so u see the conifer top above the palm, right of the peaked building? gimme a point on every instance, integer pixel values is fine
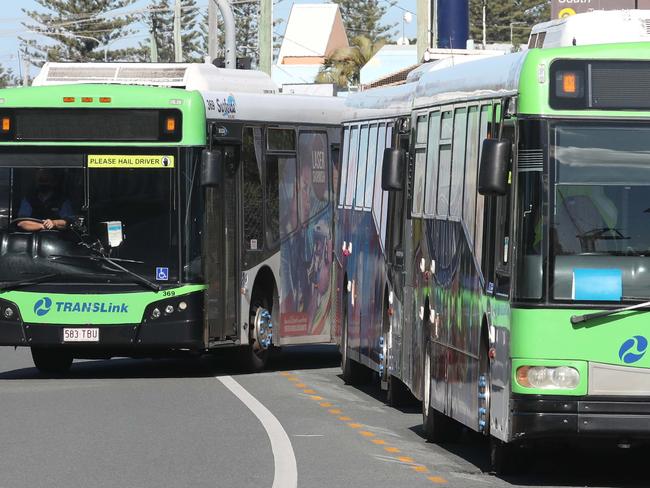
(363, 18)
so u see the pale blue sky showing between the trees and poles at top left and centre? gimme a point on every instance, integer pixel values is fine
(12, 15)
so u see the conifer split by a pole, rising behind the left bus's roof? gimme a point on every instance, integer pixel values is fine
(160, 22)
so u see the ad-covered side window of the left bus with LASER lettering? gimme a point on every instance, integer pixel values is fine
(314, 177)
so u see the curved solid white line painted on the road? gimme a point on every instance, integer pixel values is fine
(284, 459)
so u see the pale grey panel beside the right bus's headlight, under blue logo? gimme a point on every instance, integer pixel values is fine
(608, 379)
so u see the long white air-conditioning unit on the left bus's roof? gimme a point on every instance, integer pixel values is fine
(190, 76)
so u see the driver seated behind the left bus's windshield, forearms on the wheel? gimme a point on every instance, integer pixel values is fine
(45, 203)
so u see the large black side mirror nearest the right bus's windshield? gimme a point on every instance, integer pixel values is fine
(493, 173)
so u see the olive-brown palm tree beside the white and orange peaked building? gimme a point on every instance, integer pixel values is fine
(343, 66)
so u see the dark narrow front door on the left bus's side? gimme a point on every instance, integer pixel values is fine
(220, 250)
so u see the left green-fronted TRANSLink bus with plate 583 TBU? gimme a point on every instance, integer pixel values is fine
(141, 220)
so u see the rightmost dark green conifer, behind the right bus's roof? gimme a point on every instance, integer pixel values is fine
(502, 15)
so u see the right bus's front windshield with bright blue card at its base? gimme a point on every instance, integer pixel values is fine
(600, 229)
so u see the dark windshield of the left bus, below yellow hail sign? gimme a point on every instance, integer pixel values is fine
(54, 212)
